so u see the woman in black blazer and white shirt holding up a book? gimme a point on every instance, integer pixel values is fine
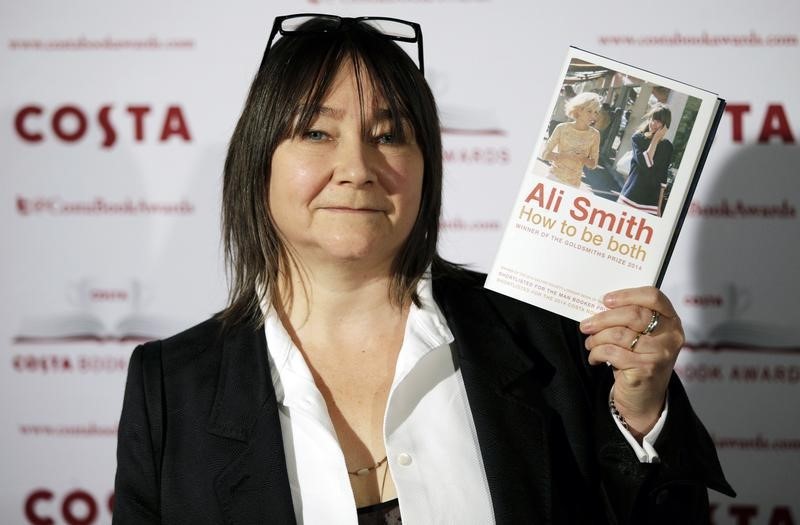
(355, 377)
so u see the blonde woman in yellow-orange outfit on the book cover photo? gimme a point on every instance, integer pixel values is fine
(575, 144)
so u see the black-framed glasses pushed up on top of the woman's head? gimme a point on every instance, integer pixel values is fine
(391, 28)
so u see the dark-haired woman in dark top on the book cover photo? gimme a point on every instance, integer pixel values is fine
(650, 160)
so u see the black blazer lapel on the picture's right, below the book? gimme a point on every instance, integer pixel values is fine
(508, 408)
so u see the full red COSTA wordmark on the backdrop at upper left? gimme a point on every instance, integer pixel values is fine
(70, 123)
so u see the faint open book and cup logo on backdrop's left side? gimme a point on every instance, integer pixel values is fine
(98, 313)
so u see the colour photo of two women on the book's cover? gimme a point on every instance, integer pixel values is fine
(613, 119)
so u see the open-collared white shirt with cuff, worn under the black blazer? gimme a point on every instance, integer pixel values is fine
(429, 434)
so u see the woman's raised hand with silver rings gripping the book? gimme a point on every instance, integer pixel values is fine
(640, 335)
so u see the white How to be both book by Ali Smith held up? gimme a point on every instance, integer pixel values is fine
(599, 209)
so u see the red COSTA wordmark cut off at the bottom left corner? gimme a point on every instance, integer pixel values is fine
(77, 507)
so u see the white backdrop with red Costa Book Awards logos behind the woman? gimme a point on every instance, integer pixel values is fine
(114, 121)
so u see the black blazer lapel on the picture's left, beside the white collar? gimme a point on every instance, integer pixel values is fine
(254, 486)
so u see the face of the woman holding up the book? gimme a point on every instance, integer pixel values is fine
(338, 193)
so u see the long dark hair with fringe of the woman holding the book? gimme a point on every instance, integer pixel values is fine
(292, 82)
